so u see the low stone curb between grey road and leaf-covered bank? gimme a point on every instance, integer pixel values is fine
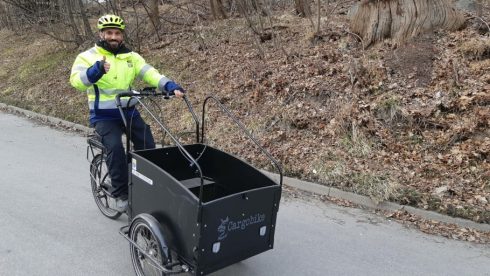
(299, 184)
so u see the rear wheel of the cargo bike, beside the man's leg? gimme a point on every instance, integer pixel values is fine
(99, 178)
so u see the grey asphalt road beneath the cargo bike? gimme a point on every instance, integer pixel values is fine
(51, 226)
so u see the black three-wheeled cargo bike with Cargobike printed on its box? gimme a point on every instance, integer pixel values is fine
(192, 208)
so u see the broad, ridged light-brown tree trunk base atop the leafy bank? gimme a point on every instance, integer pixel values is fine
(400, 20)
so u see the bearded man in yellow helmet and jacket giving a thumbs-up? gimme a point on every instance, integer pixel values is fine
(104, 71)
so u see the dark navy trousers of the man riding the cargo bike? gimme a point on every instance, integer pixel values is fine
(111, 132)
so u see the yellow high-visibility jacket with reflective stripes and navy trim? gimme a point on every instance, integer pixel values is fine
(125, 68)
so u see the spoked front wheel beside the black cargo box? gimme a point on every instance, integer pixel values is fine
(144, 236)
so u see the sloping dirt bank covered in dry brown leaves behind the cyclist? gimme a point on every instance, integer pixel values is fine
(407, 123)
